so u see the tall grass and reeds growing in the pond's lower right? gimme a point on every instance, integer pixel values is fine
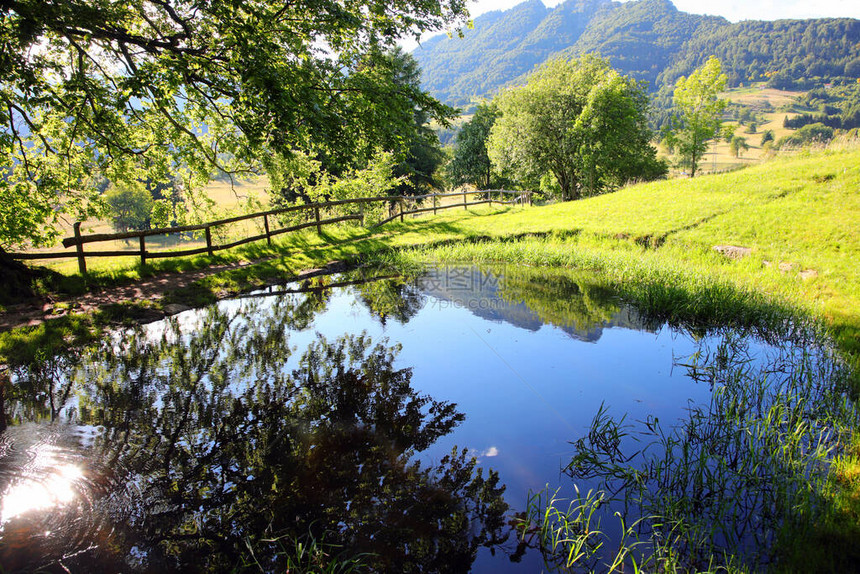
(722, 490)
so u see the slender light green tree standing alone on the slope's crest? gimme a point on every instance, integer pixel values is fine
(698, 112)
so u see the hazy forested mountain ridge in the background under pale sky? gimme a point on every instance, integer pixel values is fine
(649, 40)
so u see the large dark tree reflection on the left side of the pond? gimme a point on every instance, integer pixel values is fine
(228, 448)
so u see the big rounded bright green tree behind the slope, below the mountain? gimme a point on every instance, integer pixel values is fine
(578, 120)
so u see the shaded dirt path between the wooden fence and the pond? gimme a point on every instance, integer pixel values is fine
(151, 289)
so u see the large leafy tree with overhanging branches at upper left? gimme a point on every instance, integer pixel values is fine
(141, 89)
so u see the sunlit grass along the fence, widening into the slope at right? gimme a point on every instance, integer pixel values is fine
(798, 217)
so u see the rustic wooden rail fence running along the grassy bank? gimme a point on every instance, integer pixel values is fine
(268, 218)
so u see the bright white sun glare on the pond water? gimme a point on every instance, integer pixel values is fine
(41, 493)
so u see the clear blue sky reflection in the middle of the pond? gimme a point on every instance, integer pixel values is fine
(525, 394)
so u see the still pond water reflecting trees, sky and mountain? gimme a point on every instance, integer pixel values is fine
(402, 421)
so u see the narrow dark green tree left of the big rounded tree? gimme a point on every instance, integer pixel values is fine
(471, 161)
